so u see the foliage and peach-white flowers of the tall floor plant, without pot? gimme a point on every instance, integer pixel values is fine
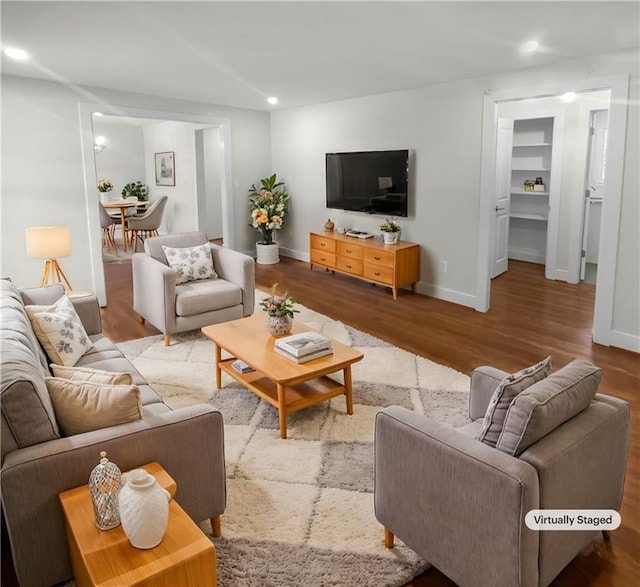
(268, 205)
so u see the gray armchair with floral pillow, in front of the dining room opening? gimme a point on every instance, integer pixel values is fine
(174, 308)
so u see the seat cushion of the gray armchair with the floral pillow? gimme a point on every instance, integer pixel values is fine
(198, 297)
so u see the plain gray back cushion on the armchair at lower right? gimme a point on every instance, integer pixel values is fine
(544, 406)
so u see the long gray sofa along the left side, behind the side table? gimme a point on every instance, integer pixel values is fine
(38, 462)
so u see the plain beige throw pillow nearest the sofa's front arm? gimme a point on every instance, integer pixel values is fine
(81, 406)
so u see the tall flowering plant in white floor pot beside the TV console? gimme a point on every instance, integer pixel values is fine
(268, 208)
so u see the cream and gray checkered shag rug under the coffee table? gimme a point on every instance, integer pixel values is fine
(300, 511)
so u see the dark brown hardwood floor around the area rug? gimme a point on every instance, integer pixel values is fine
(530, 318)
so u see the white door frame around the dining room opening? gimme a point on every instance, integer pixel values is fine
(85, 111)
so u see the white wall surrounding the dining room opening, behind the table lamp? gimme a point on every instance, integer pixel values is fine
(43, 176)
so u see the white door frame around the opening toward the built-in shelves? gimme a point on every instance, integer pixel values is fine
(607, 260)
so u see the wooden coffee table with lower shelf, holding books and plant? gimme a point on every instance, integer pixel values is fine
(286, 385)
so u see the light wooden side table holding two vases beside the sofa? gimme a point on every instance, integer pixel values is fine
(98, 557)
